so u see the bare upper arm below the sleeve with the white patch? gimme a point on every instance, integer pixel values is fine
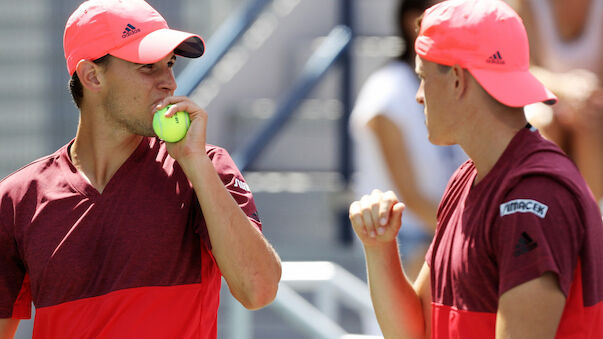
(531, 310)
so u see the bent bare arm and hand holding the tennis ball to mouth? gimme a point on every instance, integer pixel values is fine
(247, 261)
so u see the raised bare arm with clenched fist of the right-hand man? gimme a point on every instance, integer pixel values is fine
(403, 311)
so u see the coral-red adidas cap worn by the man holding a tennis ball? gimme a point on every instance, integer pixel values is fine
(128, 29)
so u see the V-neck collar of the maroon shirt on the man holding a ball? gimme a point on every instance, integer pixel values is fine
(77, 180)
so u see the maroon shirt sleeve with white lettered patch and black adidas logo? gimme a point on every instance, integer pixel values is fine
(539, 226)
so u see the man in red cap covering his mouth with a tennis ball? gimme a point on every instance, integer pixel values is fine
(119, 234)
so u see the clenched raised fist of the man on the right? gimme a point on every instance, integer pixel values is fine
(376, 216)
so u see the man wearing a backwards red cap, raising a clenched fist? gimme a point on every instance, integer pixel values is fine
(517, 251)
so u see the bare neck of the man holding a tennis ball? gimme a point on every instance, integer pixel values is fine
(98, 152)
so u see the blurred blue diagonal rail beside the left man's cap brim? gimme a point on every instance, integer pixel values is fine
(221, 41)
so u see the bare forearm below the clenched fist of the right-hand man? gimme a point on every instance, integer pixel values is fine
(397, 305)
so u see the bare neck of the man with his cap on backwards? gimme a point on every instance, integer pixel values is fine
(489, 136)
